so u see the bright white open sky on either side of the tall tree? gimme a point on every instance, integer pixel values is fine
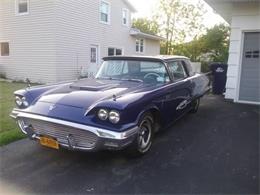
(145, 8)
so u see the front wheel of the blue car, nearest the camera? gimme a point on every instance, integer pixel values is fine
(144, 137)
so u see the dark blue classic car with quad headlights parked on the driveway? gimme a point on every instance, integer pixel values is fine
(129, 100)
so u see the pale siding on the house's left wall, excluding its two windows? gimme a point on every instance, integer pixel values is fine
(31, 41)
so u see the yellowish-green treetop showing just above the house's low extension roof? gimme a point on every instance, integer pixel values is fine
(145, 25)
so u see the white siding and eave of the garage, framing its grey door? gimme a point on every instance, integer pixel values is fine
(245, 17)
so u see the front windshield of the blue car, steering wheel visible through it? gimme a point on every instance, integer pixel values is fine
(133, 70)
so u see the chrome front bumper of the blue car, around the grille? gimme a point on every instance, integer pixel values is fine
(106, 139)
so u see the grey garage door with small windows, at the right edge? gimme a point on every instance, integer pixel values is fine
(250, 72)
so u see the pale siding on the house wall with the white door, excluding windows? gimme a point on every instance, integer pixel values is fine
(78, 27)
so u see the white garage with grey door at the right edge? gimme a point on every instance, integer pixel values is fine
(243, 82)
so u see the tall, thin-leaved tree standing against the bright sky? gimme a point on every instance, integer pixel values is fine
(179, 20)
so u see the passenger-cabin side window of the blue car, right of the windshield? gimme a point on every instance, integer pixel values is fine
(177, 70)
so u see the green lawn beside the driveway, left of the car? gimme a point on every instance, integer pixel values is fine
(8, 128)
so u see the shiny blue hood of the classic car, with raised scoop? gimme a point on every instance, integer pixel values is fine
(85, 93)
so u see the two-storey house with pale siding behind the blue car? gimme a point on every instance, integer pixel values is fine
(56, 40)
